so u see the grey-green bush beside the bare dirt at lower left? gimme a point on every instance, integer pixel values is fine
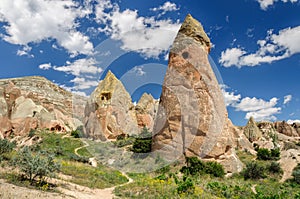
(35, 166)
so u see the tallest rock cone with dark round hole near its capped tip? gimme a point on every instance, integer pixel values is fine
(192, 118)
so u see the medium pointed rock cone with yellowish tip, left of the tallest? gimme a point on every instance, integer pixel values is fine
(109, 111)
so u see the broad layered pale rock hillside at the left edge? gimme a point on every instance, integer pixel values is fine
(34, 102)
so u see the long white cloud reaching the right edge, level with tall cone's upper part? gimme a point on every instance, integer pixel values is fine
(273, 48)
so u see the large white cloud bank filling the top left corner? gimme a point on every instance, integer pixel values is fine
(32, 21)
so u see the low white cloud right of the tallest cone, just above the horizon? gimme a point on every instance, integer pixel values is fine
(259, 109)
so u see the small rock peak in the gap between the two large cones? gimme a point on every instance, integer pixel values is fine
(146, 110)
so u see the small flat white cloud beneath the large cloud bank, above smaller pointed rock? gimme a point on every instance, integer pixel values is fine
(80, 67)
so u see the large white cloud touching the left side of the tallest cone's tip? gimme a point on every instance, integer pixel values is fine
(146, 35)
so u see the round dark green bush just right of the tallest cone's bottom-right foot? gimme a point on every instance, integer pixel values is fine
(253, 171)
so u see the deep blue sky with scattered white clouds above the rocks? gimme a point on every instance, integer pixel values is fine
(74, 42)
